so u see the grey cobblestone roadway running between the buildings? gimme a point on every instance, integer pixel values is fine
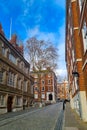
(39, 119)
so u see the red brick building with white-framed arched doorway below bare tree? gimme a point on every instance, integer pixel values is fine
(45, 86)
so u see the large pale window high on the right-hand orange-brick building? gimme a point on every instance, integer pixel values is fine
(84, 35)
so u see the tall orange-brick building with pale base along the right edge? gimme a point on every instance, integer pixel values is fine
(76, 54)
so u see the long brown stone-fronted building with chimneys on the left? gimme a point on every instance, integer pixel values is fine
(16, 89)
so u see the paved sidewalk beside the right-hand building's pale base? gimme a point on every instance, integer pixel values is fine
(72, 121)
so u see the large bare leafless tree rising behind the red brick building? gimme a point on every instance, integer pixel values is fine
(42, 54)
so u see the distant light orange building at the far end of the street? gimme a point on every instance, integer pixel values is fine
(63, 90)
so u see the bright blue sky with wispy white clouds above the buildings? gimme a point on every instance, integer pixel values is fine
(44, 19)
